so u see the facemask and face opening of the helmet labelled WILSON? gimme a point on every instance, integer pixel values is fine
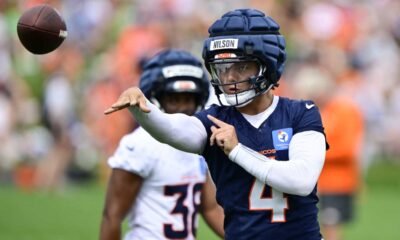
(231, 75)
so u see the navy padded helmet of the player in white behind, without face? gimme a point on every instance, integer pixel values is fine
(174, 71)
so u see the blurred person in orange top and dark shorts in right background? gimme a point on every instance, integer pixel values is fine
(339, 182)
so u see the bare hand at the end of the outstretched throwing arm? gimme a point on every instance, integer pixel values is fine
(130, 97)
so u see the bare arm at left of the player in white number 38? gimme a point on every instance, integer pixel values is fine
(122, 190)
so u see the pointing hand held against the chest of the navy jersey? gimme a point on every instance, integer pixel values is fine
(224, 135)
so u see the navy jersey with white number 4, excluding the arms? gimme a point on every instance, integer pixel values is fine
(254, 210)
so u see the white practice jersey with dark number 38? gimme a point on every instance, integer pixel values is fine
(166, 205)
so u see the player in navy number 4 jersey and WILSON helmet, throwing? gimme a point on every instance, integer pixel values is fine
(265, 152)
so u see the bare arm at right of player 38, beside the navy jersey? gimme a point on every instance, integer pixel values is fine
(212, 212)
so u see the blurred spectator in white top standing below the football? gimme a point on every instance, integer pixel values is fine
(60, 114)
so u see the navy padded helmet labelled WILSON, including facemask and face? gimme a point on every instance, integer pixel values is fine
(248, 43)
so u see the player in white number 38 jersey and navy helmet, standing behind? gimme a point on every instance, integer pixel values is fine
(160, 189)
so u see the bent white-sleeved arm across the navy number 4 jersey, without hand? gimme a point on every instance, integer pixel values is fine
(298, 175)
